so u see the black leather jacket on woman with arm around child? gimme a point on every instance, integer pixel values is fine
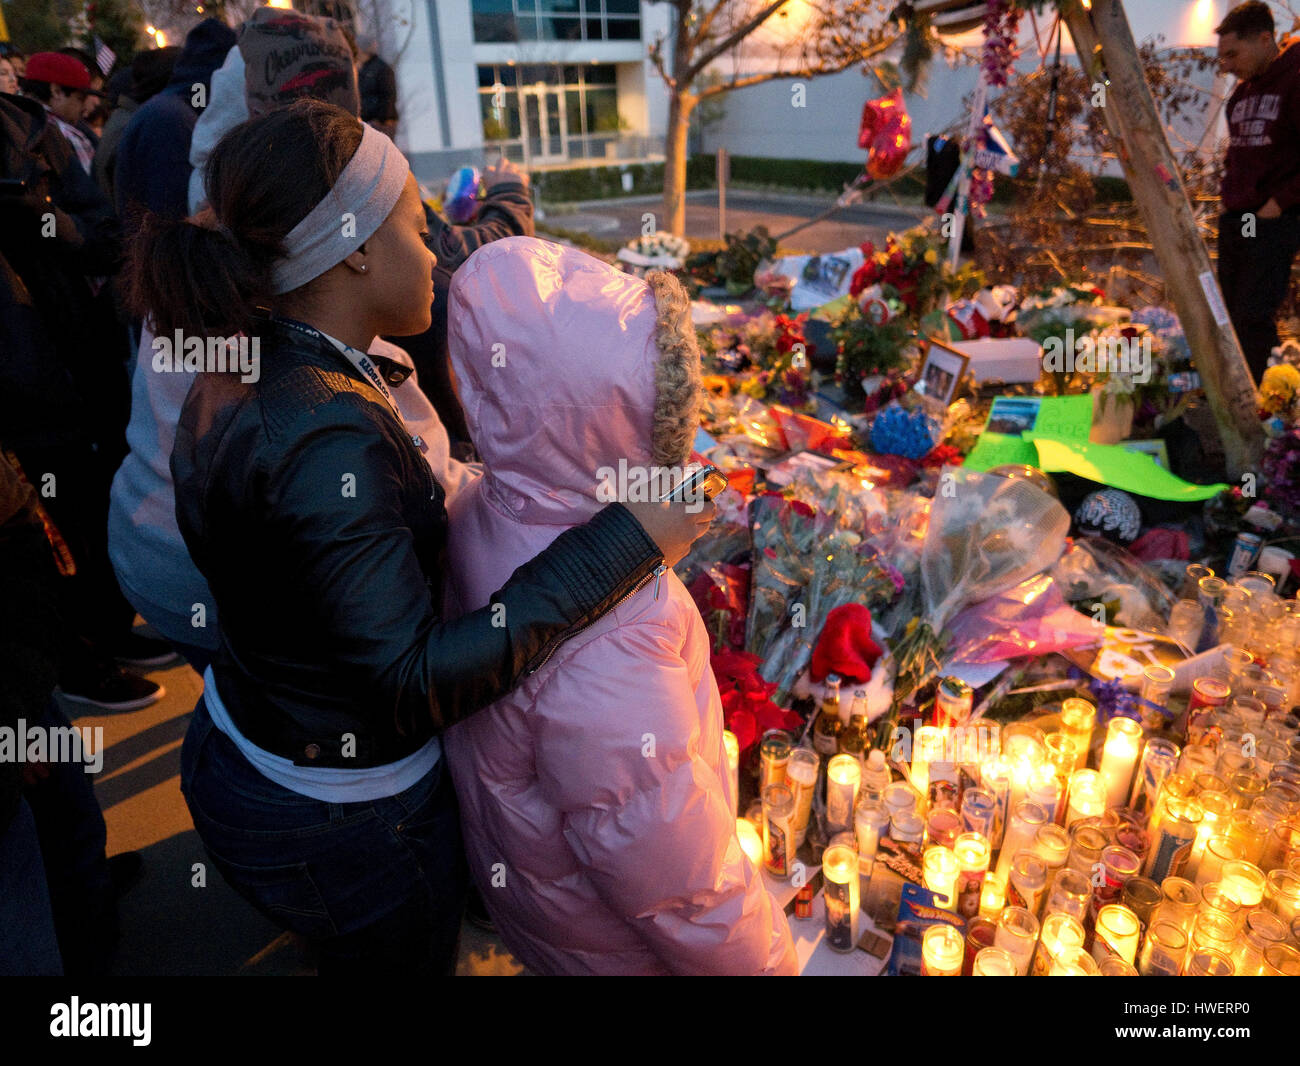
(322, 534)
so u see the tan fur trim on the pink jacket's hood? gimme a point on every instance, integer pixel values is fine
(677, 378)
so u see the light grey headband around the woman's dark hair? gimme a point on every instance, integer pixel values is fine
(362, 198)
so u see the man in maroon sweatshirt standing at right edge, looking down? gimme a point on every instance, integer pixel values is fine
(1260, 227)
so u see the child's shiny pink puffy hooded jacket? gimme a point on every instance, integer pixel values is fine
(596, 800)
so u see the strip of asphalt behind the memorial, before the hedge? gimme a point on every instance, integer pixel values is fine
(848, 228)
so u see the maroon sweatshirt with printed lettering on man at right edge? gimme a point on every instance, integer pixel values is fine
(1264, 124)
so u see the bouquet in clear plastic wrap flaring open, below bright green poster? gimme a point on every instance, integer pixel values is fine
(986, 535)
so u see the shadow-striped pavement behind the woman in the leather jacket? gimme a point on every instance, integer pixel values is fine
(183, 918)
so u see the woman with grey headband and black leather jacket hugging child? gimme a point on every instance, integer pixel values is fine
(313, 766)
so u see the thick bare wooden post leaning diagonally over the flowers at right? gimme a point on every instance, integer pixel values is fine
(1154, 176)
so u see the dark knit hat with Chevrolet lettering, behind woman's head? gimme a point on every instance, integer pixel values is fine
(288, 55)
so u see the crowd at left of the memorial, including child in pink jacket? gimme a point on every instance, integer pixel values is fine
(384, 549)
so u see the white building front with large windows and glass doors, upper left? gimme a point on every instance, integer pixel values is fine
(548, 83)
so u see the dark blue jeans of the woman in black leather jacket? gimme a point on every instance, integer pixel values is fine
(379, 887)
